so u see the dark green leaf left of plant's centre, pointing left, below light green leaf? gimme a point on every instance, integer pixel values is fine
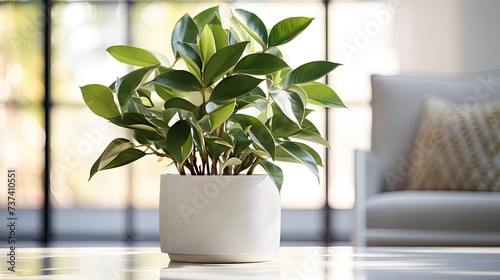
(178, 80)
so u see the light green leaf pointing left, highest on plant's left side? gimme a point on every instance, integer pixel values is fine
(133, 56)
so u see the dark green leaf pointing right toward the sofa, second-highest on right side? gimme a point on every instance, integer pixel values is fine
(309, 72)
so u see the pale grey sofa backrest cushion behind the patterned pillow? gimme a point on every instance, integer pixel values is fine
(397, 102)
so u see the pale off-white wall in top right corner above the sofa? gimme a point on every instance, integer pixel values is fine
(448, 36)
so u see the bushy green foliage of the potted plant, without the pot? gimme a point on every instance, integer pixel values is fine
(228, 103)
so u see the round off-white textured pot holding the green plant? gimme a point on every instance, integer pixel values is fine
(219, 219)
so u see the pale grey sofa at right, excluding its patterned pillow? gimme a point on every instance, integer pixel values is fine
(385, 213)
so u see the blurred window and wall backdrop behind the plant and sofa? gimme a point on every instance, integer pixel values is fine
(50, 48)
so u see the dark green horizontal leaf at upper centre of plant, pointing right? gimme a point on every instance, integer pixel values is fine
(260, 64)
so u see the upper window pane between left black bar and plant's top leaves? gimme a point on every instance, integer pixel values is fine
(81, 34)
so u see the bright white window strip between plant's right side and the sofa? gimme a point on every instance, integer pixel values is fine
(361, 39)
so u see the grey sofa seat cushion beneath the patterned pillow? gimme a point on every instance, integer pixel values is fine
(434, 210)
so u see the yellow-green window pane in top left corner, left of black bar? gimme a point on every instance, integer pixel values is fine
(21, 48)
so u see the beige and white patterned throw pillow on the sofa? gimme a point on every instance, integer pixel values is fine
(457, 147)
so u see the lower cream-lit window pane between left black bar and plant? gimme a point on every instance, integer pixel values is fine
(78, 139)
